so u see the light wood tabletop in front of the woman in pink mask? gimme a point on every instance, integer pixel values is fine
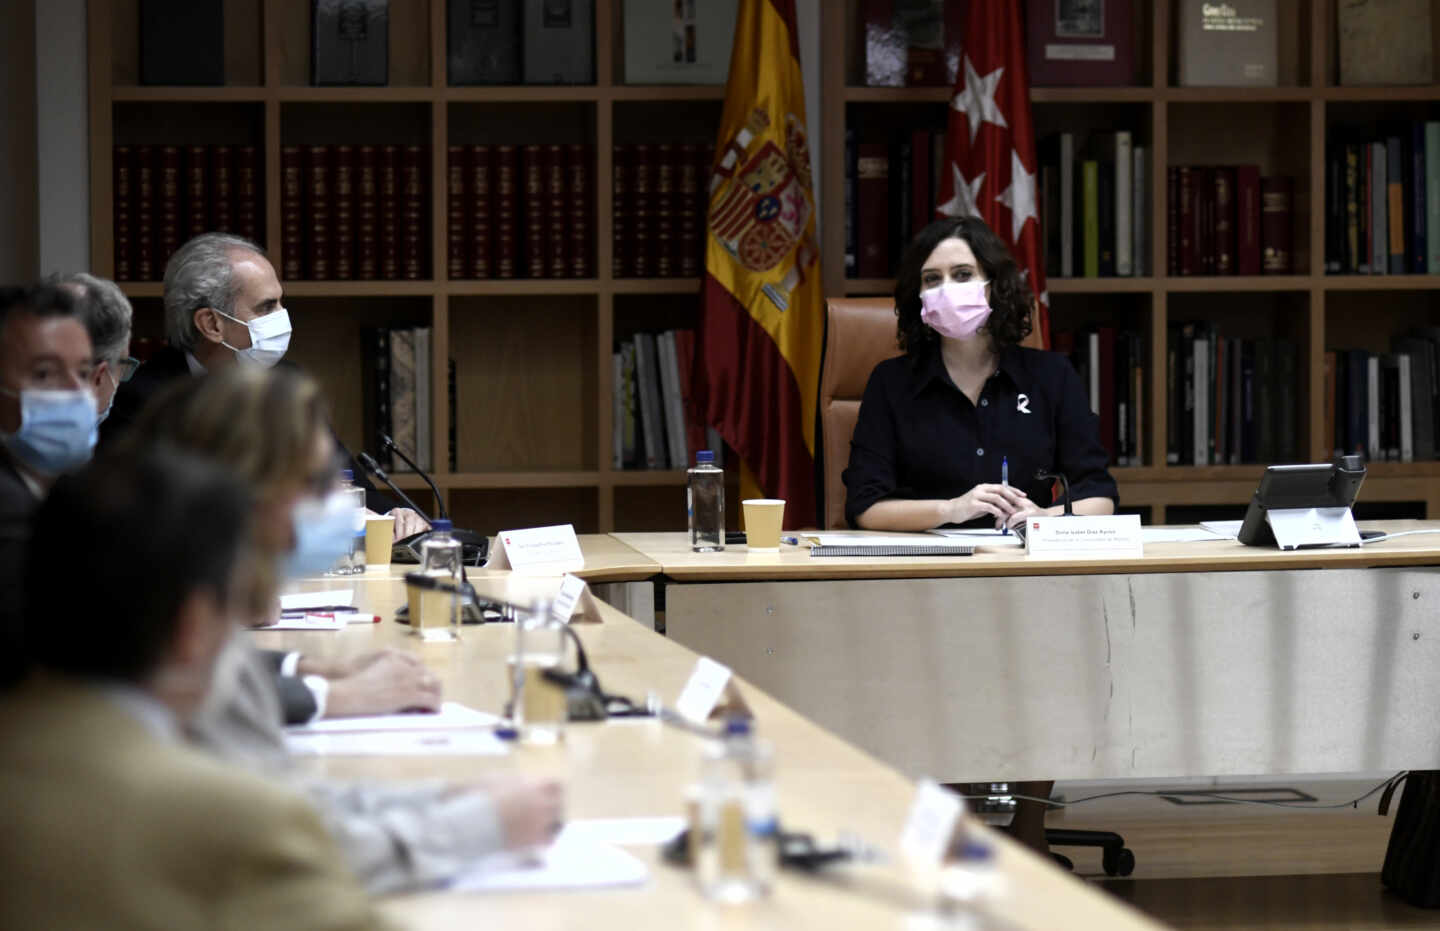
(672, 552)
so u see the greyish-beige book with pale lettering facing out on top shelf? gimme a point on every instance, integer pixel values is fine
(1228, 44)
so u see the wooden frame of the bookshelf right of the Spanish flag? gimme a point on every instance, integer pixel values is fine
(1285, 130)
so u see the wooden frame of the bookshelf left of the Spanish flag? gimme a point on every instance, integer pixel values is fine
(534, 356)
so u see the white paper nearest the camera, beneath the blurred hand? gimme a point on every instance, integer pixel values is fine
(568, 864)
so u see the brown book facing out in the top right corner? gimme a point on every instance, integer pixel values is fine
(1385, 42)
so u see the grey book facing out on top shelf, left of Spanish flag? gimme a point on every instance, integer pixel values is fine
(679, 41)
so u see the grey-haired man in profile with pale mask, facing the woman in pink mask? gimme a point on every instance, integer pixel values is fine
(224, 309)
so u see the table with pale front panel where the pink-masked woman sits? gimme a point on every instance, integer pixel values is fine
(1197, 660)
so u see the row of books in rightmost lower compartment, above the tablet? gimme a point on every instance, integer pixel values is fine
(1385, 407)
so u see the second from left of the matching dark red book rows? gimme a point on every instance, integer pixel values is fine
(355, 212)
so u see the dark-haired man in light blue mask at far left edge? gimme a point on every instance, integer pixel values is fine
(47, 422)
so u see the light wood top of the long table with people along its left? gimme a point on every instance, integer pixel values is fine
(642, 769)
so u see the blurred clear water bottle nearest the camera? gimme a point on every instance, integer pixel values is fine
(737, 850)
